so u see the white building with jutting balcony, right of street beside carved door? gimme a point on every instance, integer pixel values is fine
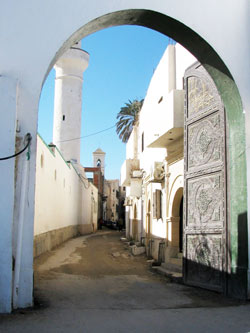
(153, 170)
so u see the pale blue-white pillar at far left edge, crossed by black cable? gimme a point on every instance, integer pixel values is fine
(8, 89)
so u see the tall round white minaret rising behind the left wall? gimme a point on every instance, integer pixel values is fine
(68, 102)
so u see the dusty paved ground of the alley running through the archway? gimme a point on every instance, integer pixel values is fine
(93, 284)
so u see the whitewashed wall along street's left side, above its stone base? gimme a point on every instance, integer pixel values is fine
(61, 198)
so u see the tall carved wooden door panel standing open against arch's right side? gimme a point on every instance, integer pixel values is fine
(204, 230)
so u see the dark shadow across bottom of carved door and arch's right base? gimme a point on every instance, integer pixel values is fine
(232, 283)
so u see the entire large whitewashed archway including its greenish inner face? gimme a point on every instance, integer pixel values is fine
(35, 61)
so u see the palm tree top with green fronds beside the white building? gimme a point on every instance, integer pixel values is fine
(127, 118)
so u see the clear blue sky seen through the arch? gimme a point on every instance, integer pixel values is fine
(122, 62)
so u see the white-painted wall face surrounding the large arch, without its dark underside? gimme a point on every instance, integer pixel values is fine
(33, 36)
